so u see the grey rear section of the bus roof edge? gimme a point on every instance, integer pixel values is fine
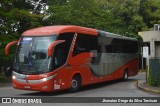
(112, 35)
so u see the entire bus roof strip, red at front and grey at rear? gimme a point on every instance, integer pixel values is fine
(51, 30)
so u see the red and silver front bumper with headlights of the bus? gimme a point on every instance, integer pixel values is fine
(34, 83)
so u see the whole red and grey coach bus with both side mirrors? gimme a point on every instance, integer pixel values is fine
(54, 58)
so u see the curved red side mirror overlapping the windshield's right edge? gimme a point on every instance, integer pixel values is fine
(52, 45)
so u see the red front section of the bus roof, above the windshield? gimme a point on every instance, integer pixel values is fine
(51, 30)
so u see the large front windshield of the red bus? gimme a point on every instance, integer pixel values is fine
(31, 55)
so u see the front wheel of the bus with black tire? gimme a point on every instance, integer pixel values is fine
(75, 84)
